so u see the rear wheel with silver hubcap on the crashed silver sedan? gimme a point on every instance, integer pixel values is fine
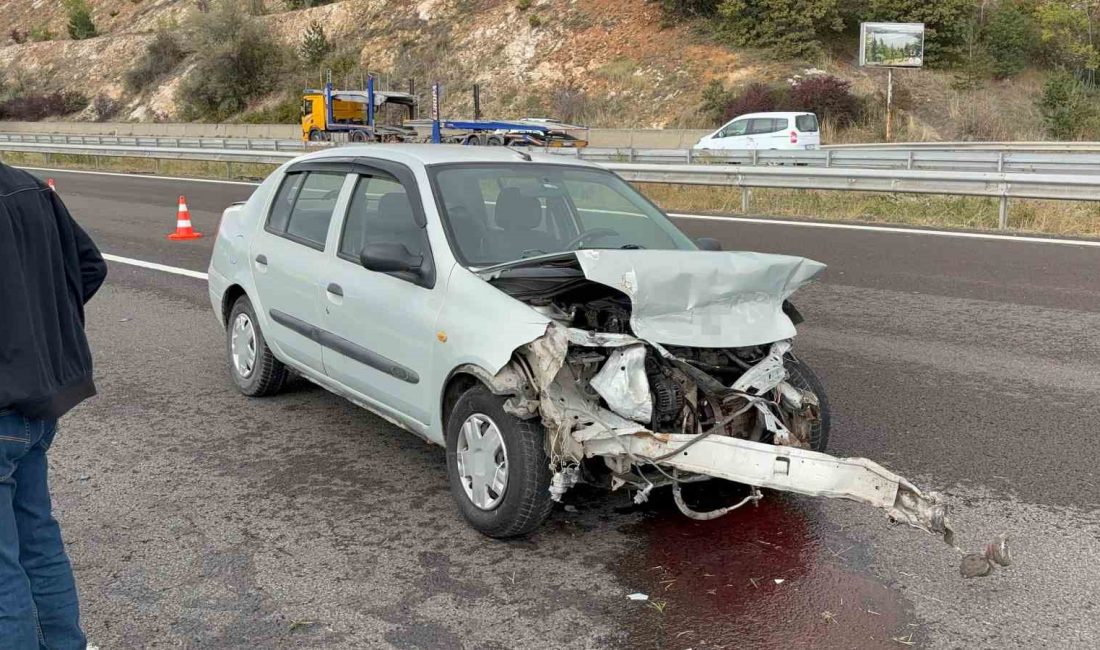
(255, 369)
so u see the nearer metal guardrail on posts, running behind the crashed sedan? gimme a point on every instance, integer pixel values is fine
(1068, 185)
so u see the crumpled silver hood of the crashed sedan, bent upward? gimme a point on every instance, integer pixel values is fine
(703, 299)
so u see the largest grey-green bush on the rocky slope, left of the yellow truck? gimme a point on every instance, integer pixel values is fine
(236, 62)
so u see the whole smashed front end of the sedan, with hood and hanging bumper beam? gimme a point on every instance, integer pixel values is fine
(665, 368)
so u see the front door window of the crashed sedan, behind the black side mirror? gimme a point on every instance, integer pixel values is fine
(381, 212)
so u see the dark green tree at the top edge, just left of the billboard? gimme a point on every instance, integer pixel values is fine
(788, 28)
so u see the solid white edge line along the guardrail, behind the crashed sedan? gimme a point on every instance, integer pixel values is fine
(893, 230)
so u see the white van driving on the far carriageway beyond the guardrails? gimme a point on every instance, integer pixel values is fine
(764, 131)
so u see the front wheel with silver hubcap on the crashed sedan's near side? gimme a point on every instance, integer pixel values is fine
(524, 502)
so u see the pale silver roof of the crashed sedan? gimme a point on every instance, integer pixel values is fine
(442, 155)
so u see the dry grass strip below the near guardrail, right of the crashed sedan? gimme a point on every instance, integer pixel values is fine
(1049, 217)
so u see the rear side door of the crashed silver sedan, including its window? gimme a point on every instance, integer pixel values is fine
(285, 257)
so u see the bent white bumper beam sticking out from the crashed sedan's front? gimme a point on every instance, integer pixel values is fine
(786, 469)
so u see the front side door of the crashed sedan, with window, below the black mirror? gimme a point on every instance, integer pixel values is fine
(381, 327)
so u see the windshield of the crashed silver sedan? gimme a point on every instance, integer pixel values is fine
(502, 213)
